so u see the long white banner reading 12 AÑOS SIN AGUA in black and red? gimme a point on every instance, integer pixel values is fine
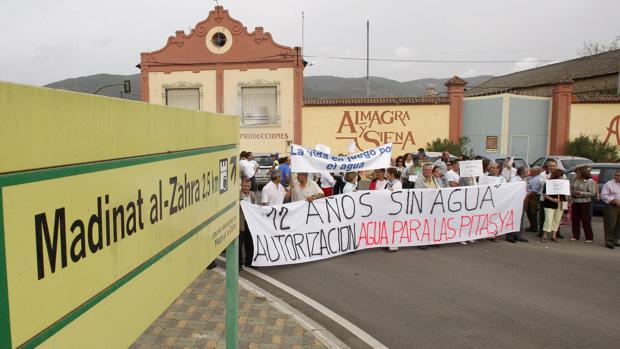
(302, 232)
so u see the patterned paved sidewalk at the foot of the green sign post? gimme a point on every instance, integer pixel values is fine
(197, 319)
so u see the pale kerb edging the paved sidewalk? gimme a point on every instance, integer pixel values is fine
(320, 332)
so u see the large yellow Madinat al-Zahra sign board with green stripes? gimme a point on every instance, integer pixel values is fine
(92, 252)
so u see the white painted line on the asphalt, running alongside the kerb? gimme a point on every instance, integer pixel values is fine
(361, 334)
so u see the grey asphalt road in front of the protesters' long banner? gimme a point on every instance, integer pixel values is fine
(483, 295)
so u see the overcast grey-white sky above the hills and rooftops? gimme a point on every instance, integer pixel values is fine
(46, 41)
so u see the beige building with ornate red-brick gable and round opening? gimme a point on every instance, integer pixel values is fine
(221, 67)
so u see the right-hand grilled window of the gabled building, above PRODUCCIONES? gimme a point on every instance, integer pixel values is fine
(259, 105)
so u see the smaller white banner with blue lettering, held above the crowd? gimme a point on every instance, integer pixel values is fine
(309, 160)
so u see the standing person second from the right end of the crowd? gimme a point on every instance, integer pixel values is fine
(582, 192)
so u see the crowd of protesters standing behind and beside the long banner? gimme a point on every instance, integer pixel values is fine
(544, 212)
